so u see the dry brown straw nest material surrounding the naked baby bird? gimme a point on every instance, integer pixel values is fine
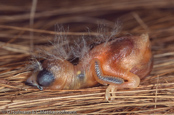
(155, 93)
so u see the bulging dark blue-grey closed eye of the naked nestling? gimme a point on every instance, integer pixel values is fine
(45, 78)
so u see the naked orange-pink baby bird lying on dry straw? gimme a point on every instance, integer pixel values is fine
(119, 63)
